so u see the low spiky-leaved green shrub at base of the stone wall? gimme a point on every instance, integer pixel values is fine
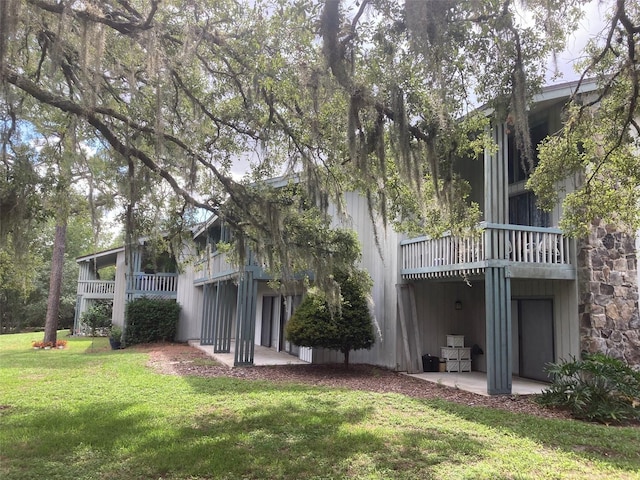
(597, 388)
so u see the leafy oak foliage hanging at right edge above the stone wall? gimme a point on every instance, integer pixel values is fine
(600, 141)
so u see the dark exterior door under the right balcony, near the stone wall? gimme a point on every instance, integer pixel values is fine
(536, 342)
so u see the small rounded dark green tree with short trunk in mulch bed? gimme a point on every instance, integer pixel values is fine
(346, 328)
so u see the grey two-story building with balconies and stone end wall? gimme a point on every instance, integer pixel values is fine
(520, 293)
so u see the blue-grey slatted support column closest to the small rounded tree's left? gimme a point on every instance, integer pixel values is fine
(246, 319)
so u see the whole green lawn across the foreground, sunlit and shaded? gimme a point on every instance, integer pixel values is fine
(87, 412)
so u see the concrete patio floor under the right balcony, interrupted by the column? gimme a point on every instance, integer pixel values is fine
(476, 382)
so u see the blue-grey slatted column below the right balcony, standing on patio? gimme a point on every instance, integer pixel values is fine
(498, 330)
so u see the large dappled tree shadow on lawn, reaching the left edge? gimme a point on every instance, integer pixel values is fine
(273, 434)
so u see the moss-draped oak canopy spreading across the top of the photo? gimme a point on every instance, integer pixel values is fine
(375, 95)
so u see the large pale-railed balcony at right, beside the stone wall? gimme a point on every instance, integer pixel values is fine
(528, 252)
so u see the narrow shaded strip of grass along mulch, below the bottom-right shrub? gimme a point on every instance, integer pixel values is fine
(586, 440)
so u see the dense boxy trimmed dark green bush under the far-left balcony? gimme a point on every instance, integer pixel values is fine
(151, 320)
